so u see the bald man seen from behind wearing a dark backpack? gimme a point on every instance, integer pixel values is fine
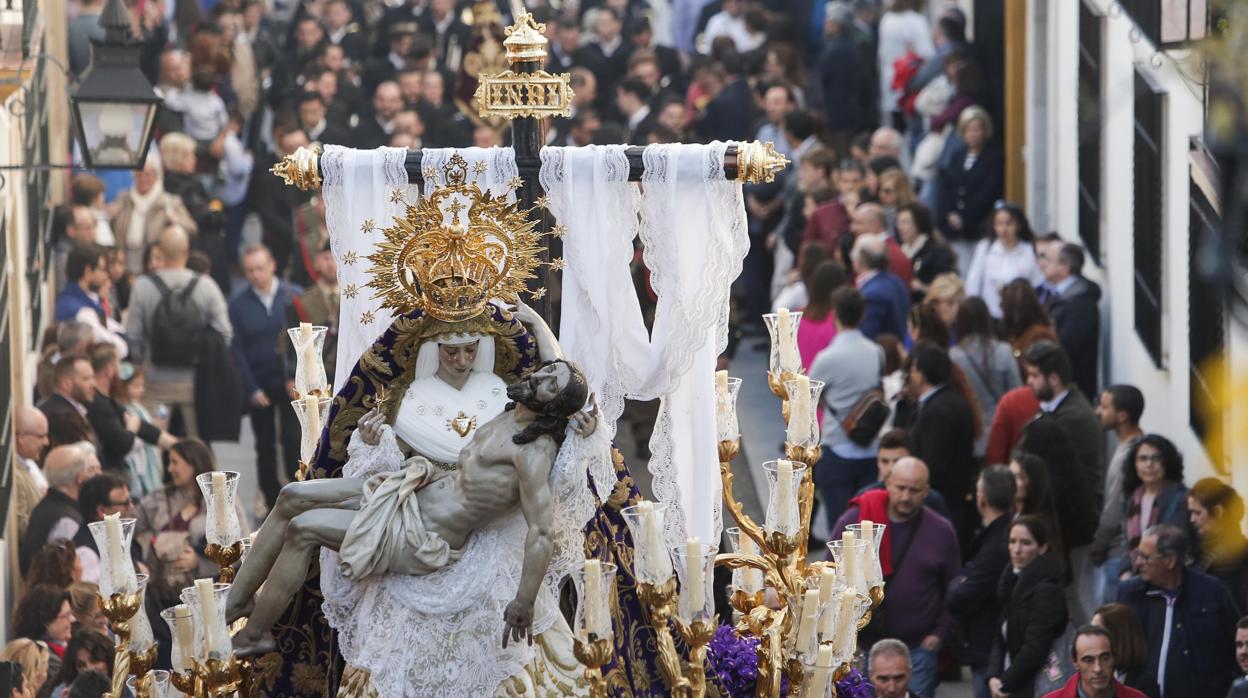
(167, 355)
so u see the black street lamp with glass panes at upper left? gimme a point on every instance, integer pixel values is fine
(114, 106)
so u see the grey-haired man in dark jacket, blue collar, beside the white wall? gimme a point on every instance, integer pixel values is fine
(1074, 304)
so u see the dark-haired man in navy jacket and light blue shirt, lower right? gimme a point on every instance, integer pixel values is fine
(1189, 617)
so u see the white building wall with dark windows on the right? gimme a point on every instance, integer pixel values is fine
(1053, 187)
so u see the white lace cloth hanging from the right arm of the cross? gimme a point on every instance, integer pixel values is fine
(693, 225)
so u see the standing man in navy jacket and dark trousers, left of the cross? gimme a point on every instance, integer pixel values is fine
(259, 318)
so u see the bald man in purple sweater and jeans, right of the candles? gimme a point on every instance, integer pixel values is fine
(920, 558)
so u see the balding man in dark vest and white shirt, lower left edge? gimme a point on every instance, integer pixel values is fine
(58, 515)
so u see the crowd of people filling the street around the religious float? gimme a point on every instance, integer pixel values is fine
(1036, 534)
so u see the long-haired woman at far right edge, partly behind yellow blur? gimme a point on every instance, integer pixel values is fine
(1217, 513)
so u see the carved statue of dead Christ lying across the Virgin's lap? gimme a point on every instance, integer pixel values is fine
(506, 466)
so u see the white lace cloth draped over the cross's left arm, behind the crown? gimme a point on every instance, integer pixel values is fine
(358, 189)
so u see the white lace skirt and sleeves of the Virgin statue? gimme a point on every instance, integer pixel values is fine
(441, 635)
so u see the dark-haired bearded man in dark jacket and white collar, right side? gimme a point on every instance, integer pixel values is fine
(1049, 375)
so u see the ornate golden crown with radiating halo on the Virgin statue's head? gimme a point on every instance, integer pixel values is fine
(456, 250)
